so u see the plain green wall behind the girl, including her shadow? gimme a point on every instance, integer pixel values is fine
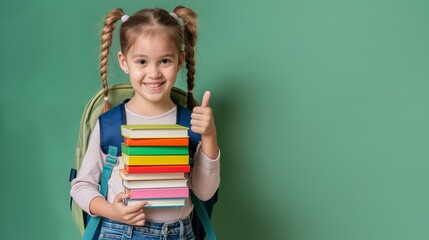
(321, 110)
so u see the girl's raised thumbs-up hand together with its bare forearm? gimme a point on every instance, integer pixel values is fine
(202, 122)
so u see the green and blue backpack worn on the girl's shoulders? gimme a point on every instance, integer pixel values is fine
(110, 136)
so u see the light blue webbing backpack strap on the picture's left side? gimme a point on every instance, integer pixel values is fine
(92, 229)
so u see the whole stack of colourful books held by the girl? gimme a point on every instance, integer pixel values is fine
(156, 164)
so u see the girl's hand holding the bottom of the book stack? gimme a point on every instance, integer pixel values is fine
(132, 215)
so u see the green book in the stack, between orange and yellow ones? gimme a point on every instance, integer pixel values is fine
(154, 150)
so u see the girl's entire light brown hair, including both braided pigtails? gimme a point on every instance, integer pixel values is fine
(150, 22)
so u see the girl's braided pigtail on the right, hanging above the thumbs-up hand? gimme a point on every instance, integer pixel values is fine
(189, 18)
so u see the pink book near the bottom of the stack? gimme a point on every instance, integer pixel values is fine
(150, 193)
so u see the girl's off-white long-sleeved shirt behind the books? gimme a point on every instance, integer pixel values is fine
(204, 178)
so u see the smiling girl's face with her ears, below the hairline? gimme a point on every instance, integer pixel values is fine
(153, 64)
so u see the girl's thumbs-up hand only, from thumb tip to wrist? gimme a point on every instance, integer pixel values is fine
(202, 120)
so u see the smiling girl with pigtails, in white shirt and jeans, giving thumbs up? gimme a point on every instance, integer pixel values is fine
(154, 46)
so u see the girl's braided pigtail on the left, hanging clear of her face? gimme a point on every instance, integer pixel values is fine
(106, 42)
